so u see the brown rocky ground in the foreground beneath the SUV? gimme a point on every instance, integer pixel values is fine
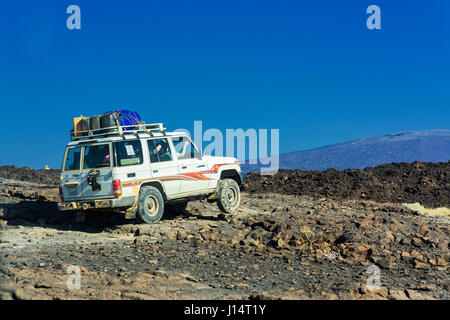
(278, 246)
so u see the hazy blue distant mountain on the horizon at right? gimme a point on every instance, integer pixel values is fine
(408, 146)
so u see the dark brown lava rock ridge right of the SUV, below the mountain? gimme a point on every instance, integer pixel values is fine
(427, 183)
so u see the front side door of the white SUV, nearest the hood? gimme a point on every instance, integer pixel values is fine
(191, 165)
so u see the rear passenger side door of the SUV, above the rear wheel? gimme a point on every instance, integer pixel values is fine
(163, 165)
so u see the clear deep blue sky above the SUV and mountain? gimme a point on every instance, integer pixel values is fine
(309, 68)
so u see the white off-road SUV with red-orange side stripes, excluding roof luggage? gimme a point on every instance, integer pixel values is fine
(142, 169)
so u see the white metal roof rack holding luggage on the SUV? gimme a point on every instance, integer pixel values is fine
(117, 131)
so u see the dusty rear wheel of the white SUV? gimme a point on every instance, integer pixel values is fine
(150, 205)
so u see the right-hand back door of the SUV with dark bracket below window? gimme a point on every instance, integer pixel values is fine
(96, 173)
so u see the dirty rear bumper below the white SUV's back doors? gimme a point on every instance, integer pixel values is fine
(96, 204)
